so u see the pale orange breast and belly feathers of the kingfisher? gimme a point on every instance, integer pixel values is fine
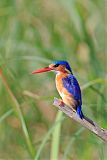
(67, 97)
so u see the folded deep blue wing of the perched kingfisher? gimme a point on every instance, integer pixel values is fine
(72, 86)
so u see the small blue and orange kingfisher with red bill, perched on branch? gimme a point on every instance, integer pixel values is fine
(66, 84)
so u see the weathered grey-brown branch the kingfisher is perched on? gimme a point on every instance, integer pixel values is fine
(86, 122)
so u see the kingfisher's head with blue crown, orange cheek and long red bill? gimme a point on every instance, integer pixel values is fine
(58, 66)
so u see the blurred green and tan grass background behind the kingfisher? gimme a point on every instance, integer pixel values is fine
(32, 34)
